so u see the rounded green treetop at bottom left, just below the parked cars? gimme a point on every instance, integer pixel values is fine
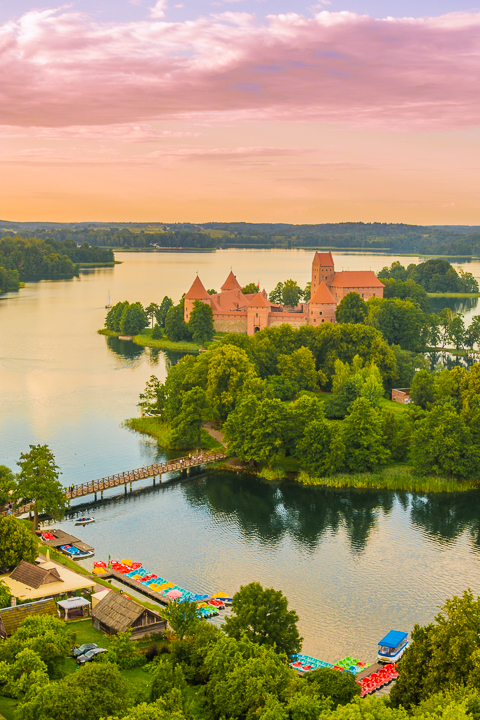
(94, 692)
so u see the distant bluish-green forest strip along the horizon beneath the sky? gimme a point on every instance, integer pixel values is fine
(394, 237)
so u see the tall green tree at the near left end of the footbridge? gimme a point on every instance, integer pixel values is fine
(38, 483)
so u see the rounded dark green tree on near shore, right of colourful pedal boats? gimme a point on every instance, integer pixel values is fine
(262, 615)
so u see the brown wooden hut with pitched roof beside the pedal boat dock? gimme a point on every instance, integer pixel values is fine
(116, 613)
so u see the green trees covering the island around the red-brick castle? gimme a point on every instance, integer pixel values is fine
(314, 401)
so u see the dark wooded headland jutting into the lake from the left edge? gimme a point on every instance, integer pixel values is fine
(23, 259)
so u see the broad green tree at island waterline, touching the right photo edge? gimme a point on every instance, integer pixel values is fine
(442, 444)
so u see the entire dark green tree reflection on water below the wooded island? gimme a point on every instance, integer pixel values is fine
(271, 511)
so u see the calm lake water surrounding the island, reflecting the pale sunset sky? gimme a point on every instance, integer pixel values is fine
(353, 564)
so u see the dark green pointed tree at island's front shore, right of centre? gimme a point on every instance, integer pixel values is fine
(363, 437)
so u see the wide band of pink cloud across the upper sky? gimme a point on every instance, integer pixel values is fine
(61, 68)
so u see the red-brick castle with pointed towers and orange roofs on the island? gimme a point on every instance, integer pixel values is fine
(234, 311)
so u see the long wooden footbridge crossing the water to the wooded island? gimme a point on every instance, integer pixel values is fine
(149, 471)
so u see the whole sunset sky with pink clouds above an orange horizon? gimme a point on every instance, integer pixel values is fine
(230, 110)
